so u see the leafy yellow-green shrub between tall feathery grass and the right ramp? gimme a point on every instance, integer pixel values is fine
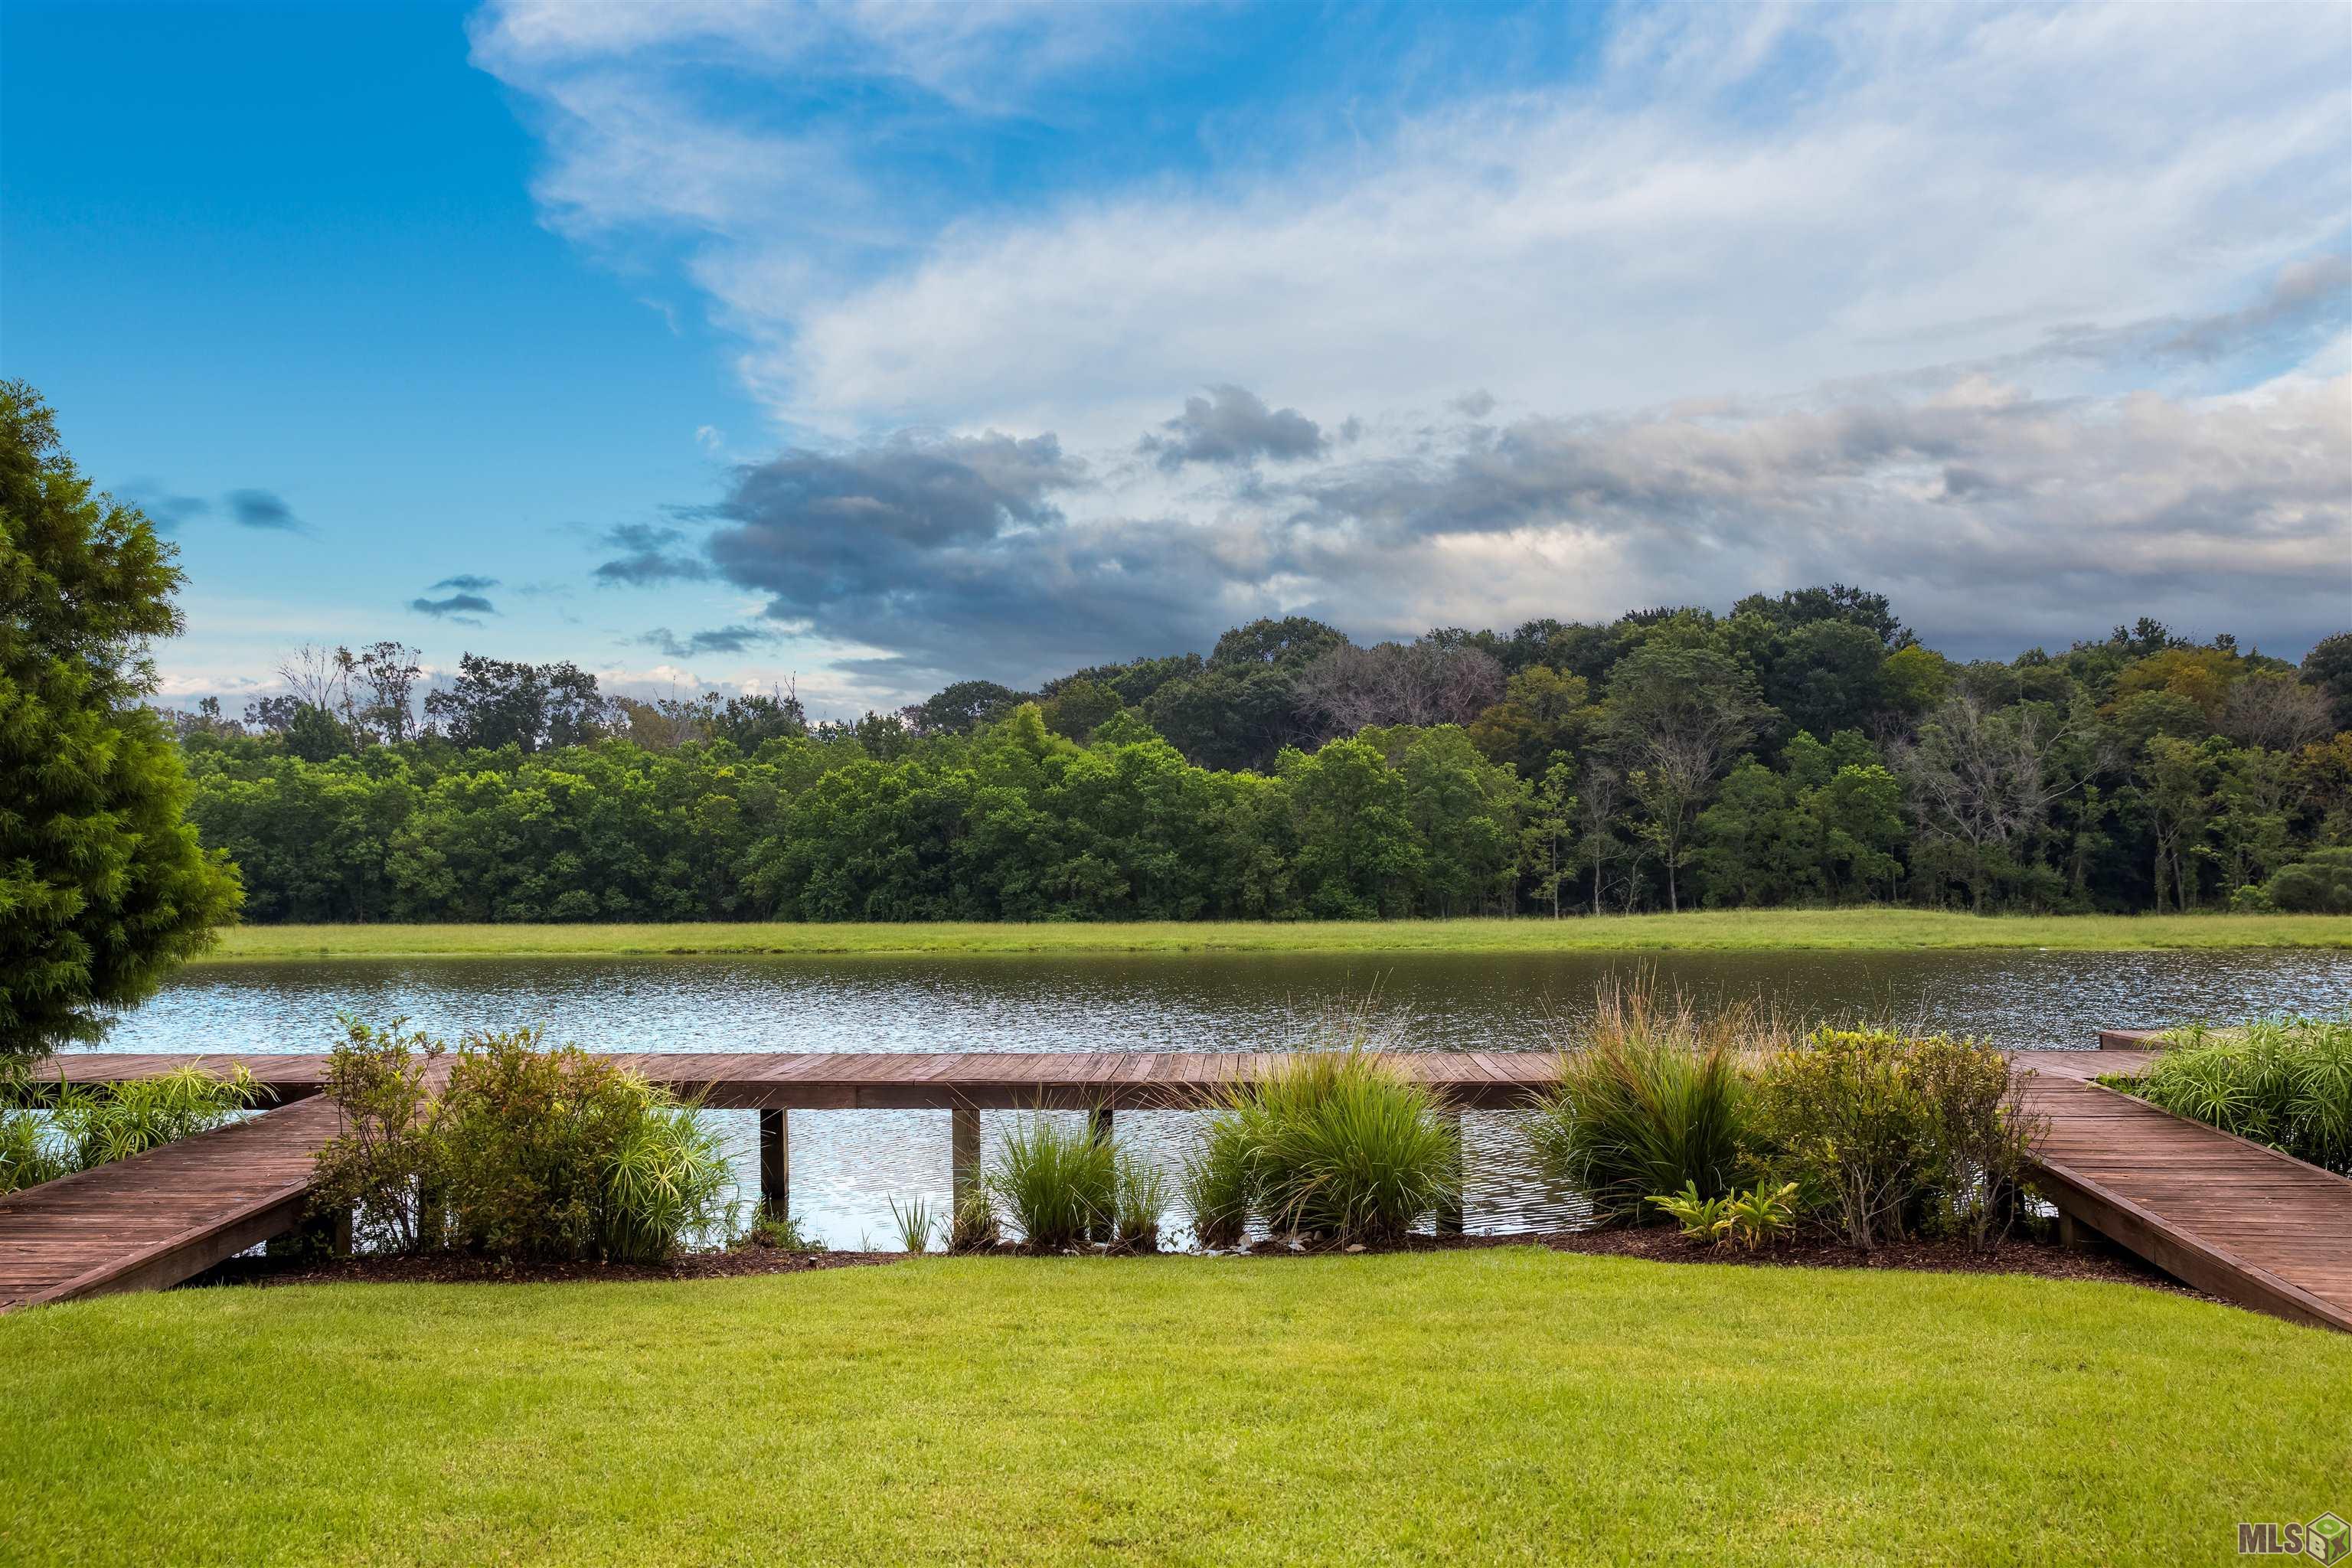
(1890, 1137)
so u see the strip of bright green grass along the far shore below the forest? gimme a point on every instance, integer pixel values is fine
(1711, 932)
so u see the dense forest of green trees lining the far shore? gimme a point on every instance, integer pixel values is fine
(1800, 751)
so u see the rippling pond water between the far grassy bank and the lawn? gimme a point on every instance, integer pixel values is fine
(850, 1165)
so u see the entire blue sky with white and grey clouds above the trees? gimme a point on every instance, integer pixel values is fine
(871, 347)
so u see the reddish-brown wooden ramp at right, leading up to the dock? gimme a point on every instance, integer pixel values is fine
(2229, 1217)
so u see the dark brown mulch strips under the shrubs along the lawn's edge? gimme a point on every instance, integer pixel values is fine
(1655, 1245)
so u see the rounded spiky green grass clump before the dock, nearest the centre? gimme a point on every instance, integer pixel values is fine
(1339, 1146)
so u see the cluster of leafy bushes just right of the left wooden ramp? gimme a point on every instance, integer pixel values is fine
(526, 1153)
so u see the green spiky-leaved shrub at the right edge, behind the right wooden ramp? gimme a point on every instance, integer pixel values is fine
(2285, 1083)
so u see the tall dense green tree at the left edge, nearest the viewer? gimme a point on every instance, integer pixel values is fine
(105, 887)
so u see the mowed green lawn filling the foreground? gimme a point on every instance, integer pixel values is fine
(1474, 1407)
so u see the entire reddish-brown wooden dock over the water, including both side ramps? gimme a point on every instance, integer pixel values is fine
(2229, 1217)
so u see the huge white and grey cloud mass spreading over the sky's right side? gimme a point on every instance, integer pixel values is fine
(1913, 297)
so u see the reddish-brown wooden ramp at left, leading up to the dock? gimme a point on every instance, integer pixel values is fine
(163, 1217)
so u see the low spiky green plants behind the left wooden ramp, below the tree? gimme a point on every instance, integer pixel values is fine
(91, 1125)
